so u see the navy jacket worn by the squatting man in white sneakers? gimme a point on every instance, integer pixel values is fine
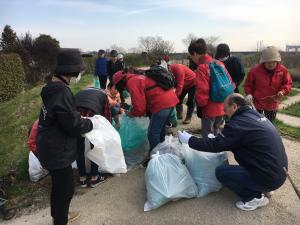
(255, 143)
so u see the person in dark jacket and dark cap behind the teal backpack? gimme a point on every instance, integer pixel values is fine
(232, 64)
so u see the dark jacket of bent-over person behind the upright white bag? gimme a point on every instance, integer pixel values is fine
(92, 98)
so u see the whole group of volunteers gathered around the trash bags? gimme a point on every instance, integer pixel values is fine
(248, 134)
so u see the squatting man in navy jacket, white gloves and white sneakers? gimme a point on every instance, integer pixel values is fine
(256, 146)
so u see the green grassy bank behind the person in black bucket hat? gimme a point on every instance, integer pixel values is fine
(16, 117)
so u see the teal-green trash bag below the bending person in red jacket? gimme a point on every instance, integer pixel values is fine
(133, 132)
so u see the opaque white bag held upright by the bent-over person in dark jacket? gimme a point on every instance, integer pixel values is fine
(107, 151)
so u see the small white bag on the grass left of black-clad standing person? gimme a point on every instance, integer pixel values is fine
(35, 170)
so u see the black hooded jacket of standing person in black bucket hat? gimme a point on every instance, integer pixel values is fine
(59, 126)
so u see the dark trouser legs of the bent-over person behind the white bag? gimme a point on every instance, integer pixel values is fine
(81, 159)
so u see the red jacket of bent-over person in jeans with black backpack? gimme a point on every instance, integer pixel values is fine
(152, 100)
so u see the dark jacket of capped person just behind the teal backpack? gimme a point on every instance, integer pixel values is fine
(235, 69)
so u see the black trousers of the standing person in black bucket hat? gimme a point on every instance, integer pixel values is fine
(61, 194)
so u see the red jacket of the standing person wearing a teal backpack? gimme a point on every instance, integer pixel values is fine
(209, 109)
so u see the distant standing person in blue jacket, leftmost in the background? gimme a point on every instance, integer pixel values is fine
(101, 69)
